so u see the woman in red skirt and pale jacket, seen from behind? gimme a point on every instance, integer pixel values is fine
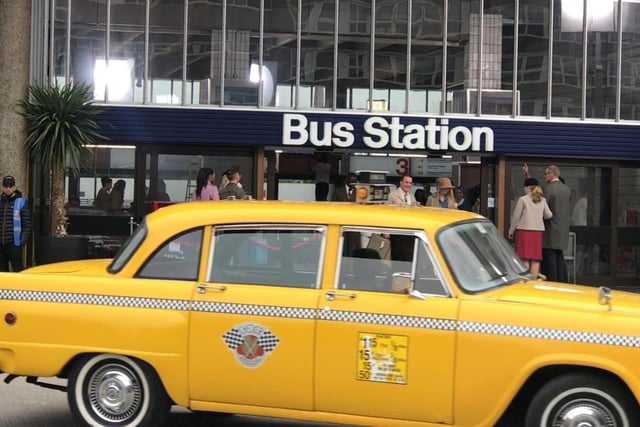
(527, 224)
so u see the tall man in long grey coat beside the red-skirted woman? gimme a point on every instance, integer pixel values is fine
(556, 234)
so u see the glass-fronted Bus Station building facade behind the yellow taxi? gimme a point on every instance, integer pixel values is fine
(471, 89)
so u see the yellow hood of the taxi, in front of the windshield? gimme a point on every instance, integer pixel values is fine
(565, 295)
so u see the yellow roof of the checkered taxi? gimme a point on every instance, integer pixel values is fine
(193, 214)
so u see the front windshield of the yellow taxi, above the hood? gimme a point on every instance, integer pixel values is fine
(479, 256)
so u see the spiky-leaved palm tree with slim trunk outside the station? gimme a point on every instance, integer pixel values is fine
(61, 121)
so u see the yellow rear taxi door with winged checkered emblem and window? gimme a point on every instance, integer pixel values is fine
(253, 317)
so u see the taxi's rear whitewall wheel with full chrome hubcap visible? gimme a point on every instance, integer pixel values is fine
(112, 390)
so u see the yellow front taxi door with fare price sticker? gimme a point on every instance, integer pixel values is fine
(381, 351)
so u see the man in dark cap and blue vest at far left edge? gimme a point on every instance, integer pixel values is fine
(15, 220)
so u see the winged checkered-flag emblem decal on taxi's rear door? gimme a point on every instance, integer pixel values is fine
(250, 343)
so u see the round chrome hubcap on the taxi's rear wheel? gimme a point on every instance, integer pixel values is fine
(114, 393)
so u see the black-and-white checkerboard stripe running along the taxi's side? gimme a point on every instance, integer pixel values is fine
(329, 315)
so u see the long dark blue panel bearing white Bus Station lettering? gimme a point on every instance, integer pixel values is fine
(417, 134)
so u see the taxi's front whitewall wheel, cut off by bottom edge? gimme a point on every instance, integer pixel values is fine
(582, 400)
